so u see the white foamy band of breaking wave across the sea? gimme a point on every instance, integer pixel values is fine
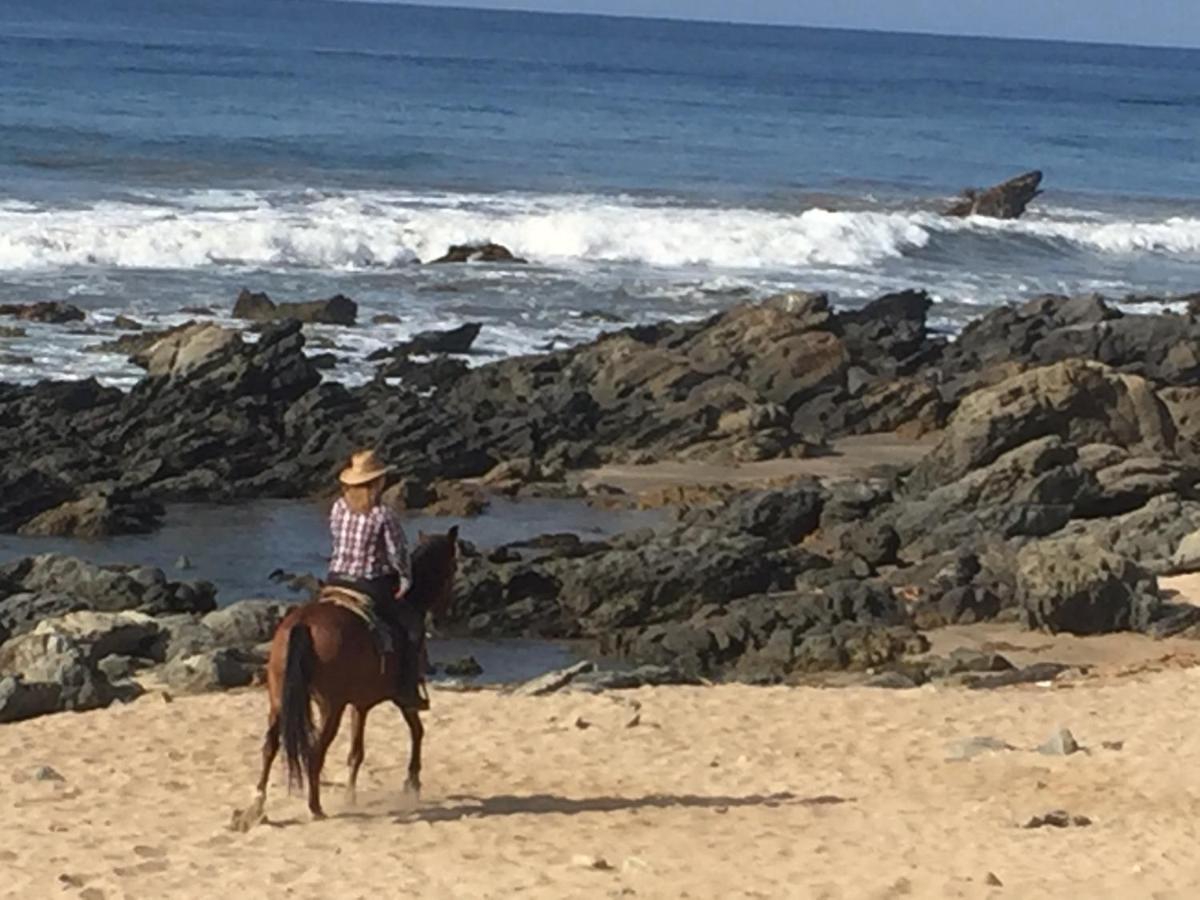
(374, 231)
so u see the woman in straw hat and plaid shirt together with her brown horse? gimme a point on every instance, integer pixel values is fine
(326, 656)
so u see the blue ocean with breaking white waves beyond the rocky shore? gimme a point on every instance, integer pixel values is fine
(157, 157)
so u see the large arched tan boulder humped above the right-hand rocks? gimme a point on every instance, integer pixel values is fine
(1078, 401)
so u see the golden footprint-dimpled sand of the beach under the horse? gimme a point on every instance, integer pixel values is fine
(701, 793)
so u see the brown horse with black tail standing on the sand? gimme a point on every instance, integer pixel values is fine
(326, 655)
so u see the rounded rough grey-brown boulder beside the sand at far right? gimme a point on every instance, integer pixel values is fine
(1077, 586)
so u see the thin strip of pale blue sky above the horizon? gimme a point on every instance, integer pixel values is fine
(1145, 22)
